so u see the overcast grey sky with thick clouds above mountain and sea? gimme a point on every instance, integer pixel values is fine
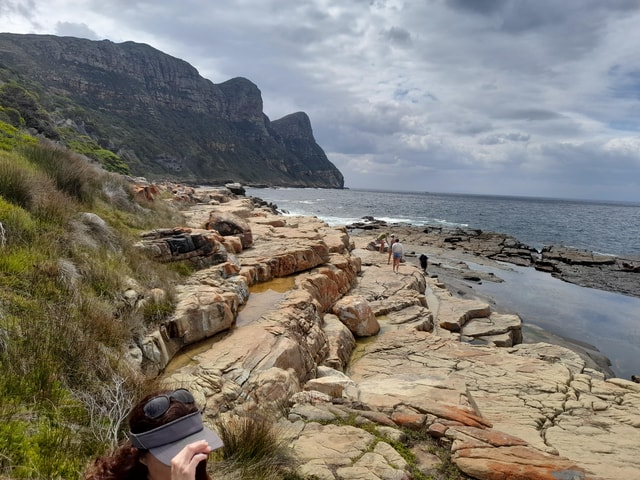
(507, 97)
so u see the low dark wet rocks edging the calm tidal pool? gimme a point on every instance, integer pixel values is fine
(450, 250)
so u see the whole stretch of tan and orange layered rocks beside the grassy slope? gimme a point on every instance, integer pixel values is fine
(354, 344)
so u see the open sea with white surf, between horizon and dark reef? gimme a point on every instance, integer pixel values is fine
(603, 227)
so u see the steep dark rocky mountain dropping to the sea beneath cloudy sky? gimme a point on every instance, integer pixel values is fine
(158, 115)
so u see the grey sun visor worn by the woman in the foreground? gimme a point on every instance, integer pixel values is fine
(166, 441)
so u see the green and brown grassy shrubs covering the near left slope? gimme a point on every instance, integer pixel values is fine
(67, 234)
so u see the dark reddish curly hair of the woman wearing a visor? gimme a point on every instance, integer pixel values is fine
(124, 462)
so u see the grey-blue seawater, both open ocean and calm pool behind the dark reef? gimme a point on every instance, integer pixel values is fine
(608, 321)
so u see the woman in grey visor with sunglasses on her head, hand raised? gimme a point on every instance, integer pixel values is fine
(167, 441)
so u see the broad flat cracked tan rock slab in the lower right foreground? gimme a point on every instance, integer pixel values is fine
(570, 421)
